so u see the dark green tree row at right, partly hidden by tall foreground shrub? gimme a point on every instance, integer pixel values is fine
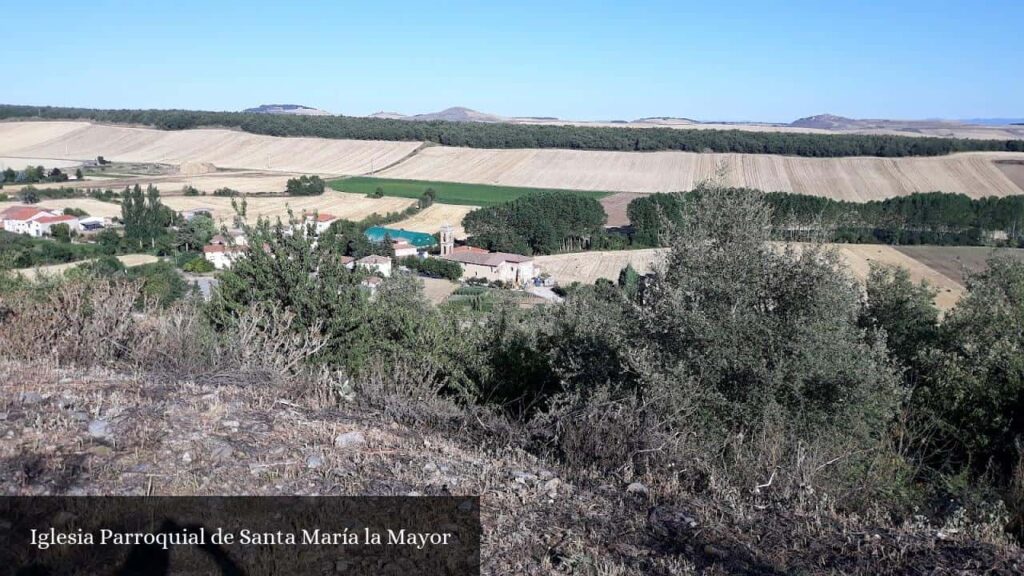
(933, 218)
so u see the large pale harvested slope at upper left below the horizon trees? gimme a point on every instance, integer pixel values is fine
(225, 149)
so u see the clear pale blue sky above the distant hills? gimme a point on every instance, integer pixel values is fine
(736, 61)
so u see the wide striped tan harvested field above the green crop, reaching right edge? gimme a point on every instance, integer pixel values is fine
(843, 179)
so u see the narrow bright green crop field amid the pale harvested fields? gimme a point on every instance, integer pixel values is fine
(448, 193)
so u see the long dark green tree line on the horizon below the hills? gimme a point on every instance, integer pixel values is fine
(474, 135)
